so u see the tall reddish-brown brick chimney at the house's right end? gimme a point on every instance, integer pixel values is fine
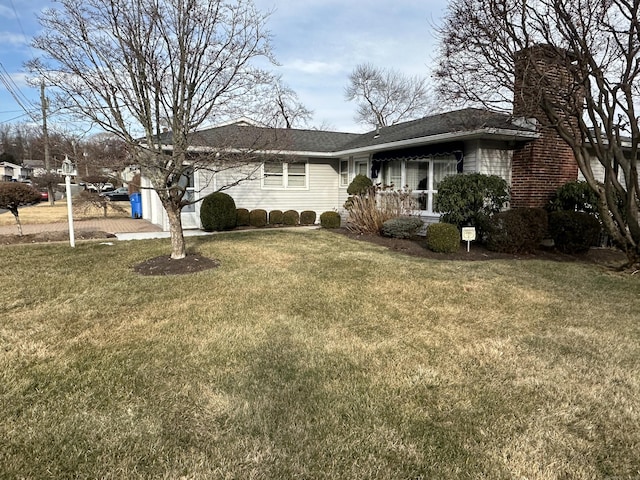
(545, 164)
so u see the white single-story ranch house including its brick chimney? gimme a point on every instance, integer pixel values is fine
(316, 167)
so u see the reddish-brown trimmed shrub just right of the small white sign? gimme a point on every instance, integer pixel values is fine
(519, 230)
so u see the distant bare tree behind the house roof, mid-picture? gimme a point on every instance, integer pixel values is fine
(385, 97)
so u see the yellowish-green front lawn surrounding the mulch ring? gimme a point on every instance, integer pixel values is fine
(309, 355)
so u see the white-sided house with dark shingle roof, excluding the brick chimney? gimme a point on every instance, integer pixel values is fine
(316, 167)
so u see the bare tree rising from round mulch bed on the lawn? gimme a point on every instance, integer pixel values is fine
(152, 72)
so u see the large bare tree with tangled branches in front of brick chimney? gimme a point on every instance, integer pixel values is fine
(592, 107)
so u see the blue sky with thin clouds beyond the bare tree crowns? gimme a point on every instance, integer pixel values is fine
(317, 44)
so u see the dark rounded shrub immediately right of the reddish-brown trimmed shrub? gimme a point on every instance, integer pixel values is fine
(573, 232)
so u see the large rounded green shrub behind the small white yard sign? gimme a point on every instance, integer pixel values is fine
(469, 199)
